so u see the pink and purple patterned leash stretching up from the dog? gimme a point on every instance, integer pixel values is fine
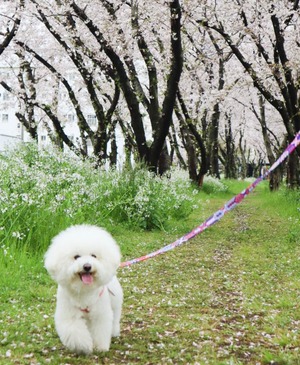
(232, 203)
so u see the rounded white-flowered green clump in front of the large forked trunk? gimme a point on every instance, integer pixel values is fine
(138, 198)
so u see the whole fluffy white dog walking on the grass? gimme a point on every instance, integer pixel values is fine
(83, 260)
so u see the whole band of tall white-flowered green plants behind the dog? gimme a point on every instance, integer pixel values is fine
(42, 192)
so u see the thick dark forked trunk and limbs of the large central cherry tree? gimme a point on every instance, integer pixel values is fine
(137, 98)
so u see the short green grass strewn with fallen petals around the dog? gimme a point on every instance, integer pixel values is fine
(229, 296)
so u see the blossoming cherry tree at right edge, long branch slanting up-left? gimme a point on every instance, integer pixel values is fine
(268, 54)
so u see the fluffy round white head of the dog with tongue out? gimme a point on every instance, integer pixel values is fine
(83, 256)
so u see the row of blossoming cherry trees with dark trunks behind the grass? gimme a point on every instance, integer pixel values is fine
(205, 77)
